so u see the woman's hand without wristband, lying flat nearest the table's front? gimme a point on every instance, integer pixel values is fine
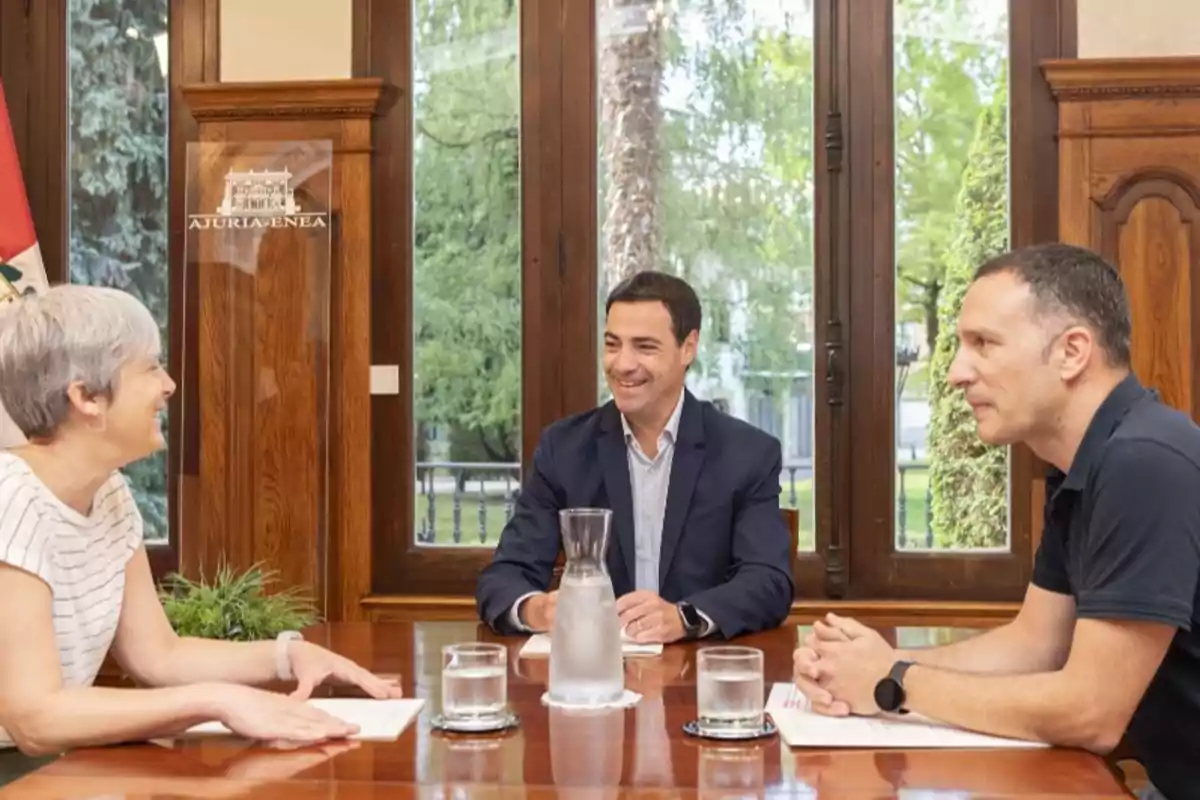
(269, 717)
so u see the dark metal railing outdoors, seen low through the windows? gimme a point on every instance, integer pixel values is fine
(469, 503)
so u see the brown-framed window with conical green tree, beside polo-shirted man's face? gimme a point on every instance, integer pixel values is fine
(934, 513)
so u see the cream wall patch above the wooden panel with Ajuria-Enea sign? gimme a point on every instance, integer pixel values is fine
(286, 40)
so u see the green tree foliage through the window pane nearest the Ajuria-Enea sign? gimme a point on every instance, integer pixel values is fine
(467, 226)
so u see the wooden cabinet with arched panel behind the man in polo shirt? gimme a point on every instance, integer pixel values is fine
(1130, 189)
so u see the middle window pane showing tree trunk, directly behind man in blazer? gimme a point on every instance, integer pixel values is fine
(706, 171)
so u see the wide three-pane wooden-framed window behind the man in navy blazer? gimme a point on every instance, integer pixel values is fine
(827, 181)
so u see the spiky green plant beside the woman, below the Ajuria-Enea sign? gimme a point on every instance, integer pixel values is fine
(236, 606)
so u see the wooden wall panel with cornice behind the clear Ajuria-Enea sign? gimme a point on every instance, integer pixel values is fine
(284, 382)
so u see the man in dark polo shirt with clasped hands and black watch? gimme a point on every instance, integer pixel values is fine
(1107, 646)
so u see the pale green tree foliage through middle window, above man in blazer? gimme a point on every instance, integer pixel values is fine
(735, 182)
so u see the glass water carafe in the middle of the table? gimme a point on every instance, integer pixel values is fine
(586, 665)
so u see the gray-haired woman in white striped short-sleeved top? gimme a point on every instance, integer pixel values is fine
(81, 375)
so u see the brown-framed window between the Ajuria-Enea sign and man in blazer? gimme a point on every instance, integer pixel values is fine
(454, 244)
